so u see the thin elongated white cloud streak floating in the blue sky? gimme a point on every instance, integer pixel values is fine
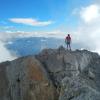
(30, 21)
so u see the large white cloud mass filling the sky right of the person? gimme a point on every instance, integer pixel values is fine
(88, 32)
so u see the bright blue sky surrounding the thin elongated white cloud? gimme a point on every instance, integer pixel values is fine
(58, 12)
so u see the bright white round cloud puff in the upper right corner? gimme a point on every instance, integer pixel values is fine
(90, 13)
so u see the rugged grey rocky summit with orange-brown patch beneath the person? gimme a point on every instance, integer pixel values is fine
(53, 74)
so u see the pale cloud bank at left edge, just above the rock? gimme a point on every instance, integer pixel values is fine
(6, 54)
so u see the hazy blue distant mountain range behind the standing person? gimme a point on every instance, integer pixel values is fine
(33, 45)
